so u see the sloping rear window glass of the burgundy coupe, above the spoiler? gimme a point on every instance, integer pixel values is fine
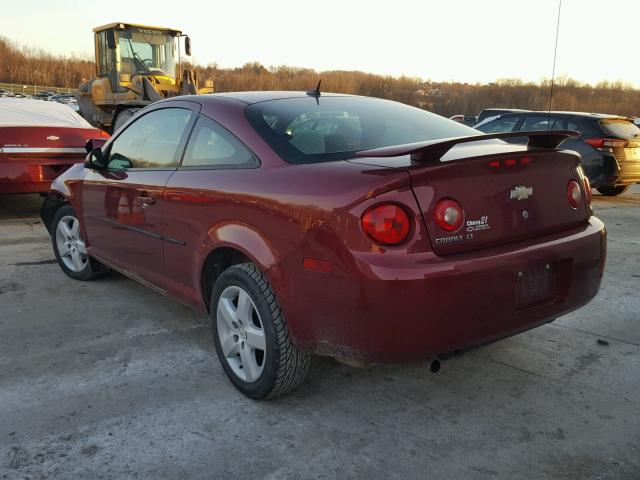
(309, 130)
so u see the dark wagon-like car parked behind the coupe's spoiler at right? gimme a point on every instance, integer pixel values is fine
(609, 145)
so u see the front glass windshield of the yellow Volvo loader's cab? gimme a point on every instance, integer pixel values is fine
(147, 52)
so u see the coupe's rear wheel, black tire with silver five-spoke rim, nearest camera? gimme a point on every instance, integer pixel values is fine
(251, 337)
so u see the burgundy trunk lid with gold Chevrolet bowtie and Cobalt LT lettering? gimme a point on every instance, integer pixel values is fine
(500, 204)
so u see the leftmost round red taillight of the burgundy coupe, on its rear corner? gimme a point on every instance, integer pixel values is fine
(386, 224)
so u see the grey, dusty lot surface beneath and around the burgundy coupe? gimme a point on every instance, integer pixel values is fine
(108, 379)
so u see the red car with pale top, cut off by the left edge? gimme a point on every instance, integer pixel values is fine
(39, 141)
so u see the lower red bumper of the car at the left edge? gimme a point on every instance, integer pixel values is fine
(31, 175)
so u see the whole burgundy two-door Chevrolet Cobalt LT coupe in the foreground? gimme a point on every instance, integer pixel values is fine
(336, 225)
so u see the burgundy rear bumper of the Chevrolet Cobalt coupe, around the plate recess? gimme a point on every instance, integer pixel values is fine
(432, 305)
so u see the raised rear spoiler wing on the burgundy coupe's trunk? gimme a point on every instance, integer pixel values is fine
(434, 150)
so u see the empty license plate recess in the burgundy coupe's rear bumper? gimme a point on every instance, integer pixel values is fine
(535, 285)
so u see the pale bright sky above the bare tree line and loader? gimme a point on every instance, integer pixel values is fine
(461, 40)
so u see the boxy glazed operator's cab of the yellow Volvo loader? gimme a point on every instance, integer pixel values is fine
(124, 51)
